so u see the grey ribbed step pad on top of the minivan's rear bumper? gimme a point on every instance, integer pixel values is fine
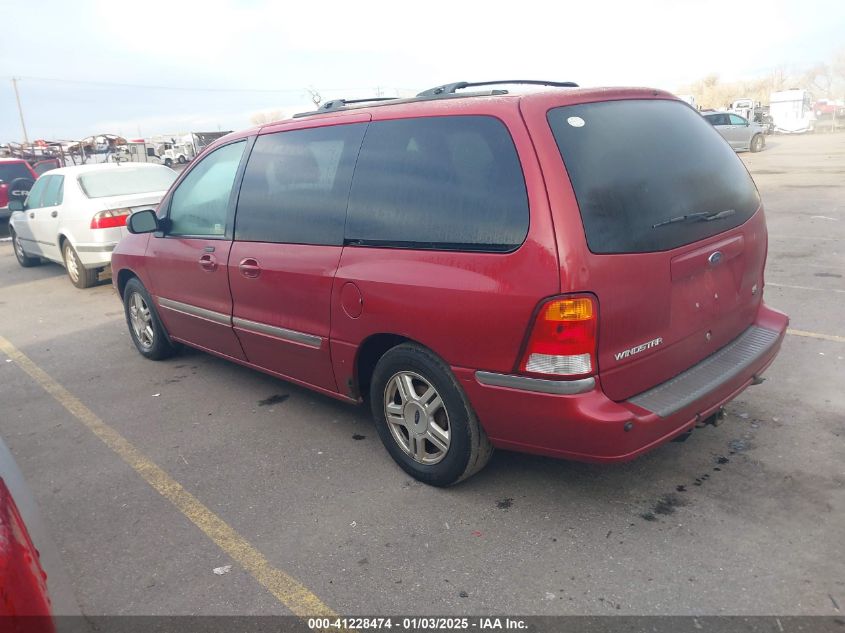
(710, 374)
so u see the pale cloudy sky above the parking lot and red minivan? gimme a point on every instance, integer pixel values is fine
(144, 67)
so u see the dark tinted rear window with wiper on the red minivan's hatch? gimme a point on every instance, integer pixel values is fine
(638, 163)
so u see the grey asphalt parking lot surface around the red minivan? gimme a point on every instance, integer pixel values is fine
(744, 518)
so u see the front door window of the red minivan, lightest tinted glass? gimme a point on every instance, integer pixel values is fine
(200, 203)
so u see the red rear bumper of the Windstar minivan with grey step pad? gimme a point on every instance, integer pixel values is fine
(589, 426)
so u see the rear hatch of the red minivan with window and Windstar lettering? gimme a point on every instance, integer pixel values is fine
(675, 236)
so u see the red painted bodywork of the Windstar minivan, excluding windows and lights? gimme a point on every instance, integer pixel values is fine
(474, 309)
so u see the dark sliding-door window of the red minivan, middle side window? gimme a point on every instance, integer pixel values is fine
(296, 185)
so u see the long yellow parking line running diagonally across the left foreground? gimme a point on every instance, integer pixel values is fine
(289, 591)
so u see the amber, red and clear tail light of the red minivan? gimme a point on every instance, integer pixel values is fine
(563, 339)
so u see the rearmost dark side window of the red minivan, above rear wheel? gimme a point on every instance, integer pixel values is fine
(448, 183)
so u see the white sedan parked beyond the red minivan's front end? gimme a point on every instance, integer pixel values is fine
(75, 216)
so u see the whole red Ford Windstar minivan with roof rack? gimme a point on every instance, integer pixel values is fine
(573, 272)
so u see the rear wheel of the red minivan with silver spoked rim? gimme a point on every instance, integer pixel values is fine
(424, 419)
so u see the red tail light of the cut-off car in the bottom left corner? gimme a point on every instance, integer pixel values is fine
(23, 586)
